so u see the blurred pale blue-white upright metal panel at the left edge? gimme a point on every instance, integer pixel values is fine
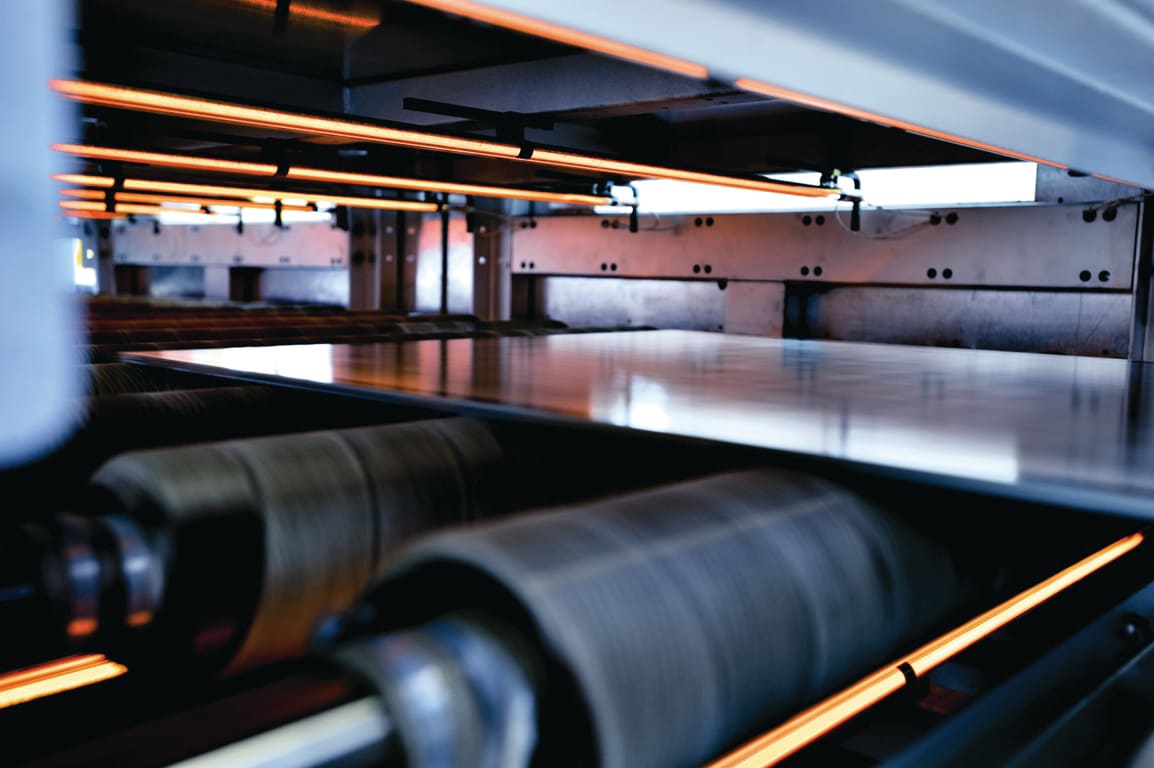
(40, 381)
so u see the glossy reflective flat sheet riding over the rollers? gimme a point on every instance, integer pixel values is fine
(1061, 430)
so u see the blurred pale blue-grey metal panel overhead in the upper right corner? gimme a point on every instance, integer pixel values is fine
(1066, 82)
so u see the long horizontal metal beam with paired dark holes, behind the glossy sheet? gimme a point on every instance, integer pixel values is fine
(1029, 246)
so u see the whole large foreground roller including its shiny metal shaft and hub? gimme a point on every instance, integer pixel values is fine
(656, 629)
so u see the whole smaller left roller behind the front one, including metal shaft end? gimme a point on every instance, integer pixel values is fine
(233, 554)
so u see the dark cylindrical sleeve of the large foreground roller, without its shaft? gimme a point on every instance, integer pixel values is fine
(691, 618)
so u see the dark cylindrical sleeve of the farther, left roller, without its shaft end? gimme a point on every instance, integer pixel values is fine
(258, 540)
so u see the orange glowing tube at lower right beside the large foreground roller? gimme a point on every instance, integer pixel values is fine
(815, 722)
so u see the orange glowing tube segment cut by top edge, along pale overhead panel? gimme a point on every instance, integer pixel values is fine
(558, 34)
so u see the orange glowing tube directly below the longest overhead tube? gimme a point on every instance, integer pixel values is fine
(318, 175)
